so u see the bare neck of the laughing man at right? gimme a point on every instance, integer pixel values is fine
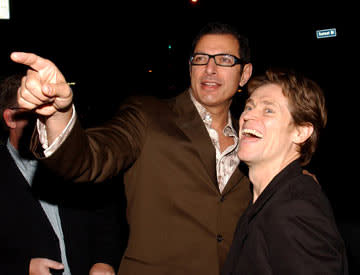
(261, 174)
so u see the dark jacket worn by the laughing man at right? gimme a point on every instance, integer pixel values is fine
(290, 229)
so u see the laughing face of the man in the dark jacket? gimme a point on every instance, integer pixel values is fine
(268, 135)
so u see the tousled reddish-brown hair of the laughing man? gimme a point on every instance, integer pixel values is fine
(306, 104)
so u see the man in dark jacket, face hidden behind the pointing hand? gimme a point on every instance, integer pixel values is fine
(44, 229)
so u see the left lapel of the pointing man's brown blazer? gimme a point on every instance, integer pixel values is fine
(189, 121)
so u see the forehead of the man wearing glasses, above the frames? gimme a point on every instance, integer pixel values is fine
(218, 43)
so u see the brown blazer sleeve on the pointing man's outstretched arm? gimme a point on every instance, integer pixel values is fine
(99, 153)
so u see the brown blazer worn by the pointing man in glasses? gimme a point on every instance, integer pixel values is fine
(179, 222)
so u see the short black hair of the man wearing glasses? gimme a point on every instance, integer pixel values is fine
(221, 28)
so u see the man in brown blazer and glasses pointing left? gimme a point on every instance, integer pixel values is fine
(184, 190)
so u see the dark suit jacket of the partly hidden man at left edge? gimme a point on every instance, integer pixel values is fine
(26, 232)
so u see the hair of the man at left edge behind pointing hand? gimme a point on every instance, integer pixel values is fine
(8, 94)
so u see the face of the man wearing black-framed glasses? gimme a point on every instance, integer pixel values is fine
(214, 85)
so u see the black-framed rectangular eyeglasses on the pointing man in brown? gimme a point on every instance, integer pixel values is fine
(221, 59)
